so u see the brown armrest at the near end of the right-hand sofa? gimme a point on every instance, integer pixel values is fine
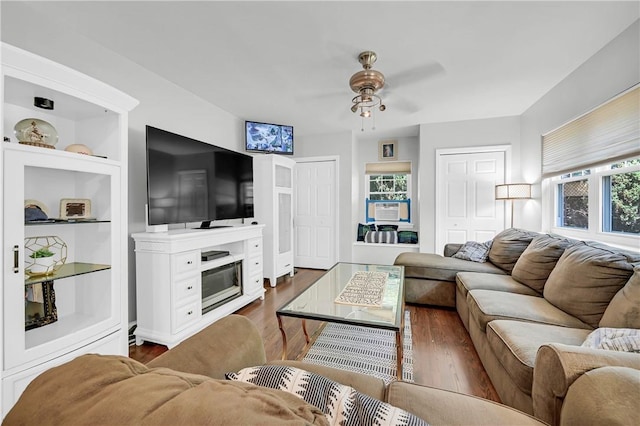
(558, 366)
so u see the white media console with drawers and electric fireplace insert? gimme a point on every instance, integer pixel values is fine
(169, 270)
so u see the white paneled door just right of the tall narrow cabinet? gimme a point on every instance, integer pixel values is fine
(315, 223)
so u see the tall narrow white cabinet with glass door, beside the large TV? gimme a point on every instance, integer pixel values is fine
(273, 206)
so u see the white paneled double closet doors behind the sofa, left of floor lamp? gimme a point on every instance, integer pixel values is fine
(466, 208)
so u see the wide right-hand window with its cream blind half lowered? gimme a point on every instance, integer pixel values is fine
(593, 164)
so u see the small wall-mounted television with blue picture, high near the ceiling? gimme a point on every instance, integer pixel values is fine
(268, 137)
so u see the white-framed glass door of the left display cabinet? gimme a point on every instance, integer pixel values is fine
(75, 300)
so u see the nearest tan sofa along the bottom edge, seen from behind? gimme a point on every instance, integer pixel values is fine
(186, 385)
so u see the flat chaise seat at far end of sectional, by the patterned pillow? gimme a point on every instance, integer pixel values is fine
(436, 267)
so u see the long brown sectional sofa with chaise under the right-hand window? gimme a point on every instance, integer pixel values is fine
(531, 305)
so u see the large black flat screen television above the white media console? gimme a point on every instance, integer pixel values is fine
(193, 181)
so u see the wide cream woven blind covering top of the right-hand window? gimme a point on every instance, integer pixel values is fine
(607, 133)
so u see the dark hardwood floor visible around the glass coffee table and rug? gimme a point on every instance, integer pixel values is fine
(443, 355)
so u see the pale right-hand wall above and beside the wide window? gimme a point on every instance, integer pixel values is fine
(613, 69)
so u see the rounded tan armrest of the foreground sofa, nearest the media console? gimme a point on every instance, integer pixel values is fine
(230, 344)
